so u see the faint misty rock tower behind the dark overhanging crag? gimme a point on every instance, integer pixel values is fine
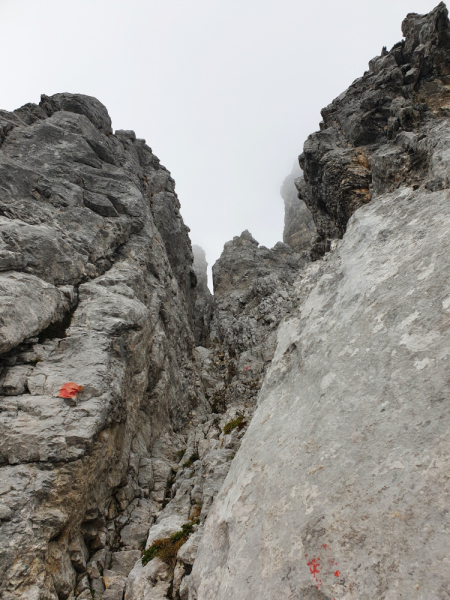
(299, 228)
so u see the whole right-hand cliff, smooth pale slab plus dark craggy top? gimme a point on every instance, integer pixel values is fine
(340, 487)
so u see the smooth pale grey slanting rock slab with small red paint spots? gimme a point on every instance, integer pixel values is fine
(340, 488)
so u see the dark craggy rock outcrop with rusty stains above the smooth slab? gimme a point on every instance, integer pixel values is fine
(379, 134)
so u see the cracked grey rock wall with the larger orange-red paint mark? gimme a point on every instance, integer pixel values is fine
(90, 294)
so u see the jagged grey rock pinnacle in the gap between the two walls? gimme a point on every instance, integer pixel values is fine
(252, 293)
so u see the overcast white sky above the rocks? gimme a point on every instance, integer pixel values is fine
(224, 91)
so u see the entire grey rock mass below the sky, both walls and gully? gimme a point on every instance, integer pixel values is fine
(295, 424)
